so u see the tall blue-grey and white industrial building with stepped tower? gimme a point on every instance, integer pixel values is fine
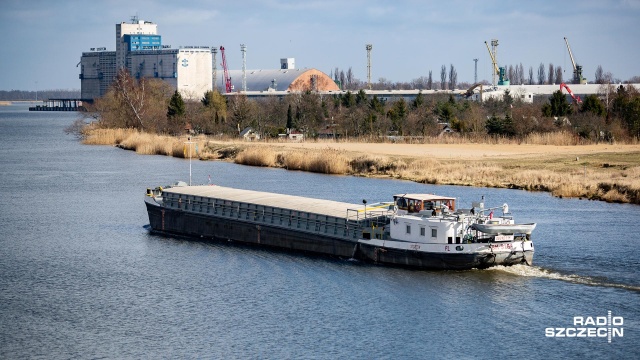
(139, 49)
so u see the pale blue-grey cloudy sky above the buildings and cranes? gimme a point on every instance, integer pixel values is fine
(42, 41)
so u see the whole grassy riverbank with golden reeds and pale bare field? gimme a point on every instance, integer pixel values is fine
(556, 164)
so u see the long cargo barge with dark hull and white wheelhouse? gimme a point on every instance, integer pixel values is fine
(414, 230)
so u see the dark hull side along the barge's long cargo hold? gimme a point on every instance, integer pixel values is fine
(170, 221)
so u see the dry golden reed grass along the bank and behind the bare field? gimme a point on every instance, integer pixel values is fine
(593, 179)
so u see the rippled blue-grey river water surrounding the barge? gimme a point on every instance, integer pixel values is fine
(81, 277)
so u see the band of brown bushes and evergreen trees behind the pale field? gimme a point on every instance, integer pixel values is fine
(153, 106)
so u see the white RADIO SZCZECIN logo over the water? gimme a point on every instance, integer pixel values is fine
(599, 326)
